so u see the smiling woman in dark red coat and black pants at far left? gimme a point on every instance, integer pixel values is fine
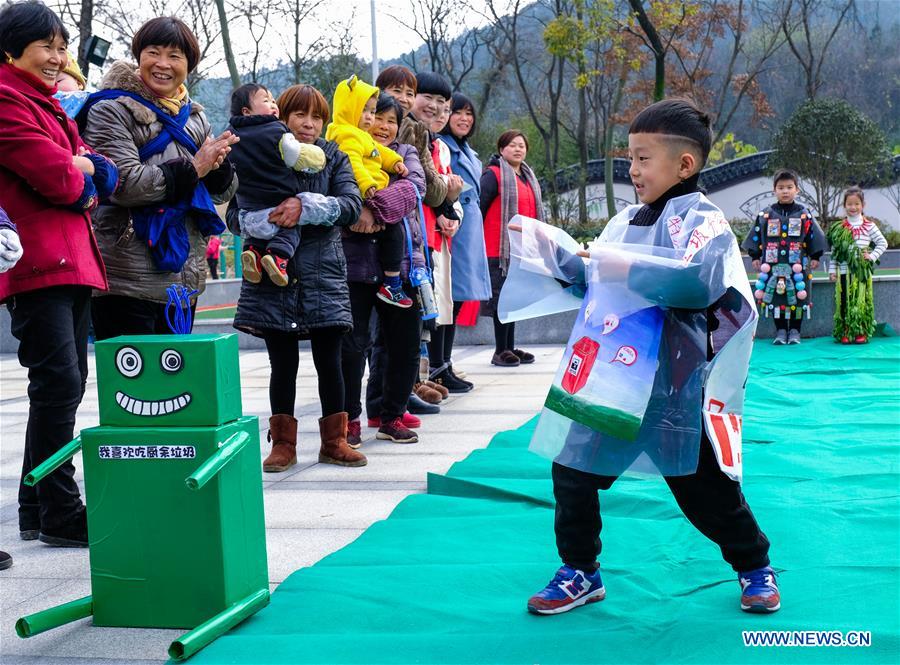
(49, 183)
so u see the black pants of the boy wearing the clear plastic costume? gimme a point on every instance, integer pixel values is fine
(710, 500)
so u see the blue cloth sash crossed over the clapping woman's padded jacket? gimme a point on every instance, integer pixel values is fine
(163, 226)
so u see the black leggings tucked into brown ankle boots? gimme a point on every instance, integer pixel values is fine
(284, 359)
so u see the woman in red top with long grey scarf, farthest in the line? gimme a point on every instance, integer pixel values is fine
(508, 188)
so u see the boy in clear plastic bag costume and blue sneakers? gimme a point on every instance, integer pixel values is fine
(653, 375)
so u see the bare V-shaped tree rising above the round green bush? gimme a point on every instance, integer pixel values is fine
(810, 26)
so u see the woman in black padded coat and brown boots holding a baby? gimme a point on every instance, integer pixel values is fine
(315, 304)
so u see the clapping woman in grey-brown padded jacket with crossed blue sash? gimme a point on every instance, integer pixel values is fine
(133, 116)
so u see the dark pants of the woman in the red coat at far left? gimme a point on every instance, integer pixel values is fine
(52, 328)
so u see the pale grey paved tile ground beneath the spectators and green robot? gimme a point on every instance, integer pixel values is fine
(312, 509)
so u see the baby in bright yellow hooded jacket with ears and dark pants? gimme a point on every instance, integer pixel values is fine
(373, 164)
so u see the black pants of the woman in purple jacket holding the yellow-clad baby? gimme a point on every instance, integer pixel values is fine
(401, 330)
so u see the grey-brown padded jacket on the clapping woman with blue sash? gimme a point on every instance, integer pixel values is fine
(118, 128)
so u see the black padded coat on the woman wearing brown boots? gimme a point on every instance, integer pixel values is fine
(317, 296)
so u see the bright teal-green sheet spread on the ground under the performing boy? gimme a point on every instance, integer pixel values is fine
(445, 578)
